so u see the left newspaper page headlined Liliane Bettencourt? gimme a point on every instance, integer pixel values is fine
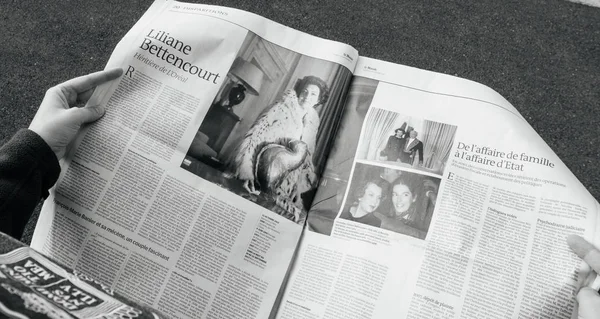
(189, 195)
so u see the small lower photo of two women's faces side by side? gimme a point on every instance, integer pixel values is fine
(391, 199)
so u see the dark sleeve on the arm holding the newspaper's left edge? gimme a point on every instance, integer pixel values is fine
(28, 168)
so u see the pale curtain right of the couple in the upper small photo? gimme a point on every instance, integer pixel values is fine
(437, 140)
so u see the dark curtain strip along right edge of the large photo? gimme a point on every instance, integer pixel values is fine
(330, 115)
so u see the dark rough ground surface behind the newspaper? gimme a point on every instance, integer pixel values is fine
(542, 56)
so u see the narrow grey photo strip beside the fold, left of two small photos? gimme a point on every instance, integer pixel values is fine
(332, 187)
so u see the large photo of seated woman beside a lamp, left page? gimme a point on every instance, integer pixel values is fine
(268, 132)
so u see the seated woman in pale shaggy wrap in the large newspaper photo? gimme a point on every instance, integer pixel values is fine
(291, 118)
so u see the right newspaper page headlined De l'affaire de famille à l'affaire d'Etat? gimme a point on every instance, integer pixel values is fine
(438, 201)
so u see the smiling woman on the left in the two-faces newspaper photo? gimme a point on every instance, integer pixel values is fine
(366, 200)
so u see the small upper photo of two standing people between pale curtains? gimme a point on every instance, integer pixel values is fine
(405, 141)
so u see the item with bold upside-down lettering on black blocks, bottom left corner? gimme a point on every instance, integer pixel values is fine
(32, 286)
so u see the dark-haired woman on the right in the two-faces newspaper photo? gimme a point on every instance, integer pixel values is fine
(405, 215)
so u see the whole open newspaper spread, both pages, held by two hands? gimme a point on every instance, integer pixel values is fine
(245, 170)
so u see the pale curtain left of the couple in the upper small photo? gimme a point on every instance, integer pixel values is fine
(377, 126)
